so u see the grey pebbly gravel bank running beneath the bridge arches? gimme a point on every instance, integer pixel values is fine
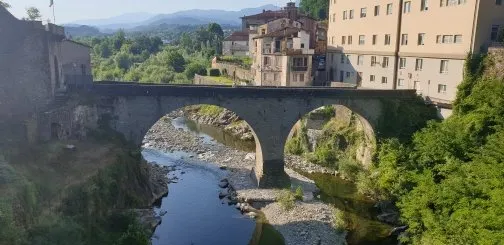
(309, 222)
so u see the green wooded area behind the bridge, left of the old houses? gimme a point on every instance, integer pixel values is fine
(144, 58)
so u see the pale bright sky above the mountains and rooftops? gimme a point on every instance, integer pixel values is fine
(71, 10)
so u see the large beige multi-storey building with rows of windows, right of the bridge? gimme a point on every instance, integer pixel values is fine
(409, 44)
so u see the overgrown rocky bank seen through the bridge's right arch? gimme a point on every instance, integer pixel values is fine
(330, 133)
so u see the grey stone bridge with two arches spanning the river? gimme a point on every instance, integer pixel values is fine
(132, 109)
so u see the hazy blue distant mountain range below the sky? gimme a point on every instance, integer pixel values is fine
(139, 21)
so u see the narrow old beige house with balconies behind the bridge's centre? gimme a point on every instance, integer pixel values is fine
(281, 56)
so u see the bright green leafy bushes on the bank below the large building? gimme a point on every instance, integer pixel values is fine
(449, 182)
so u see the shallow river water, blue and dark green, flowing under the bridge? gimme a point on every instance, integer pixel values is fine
(196, 215)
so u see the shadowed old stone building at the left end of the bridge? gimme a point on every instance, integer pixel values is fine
(34, 59)
